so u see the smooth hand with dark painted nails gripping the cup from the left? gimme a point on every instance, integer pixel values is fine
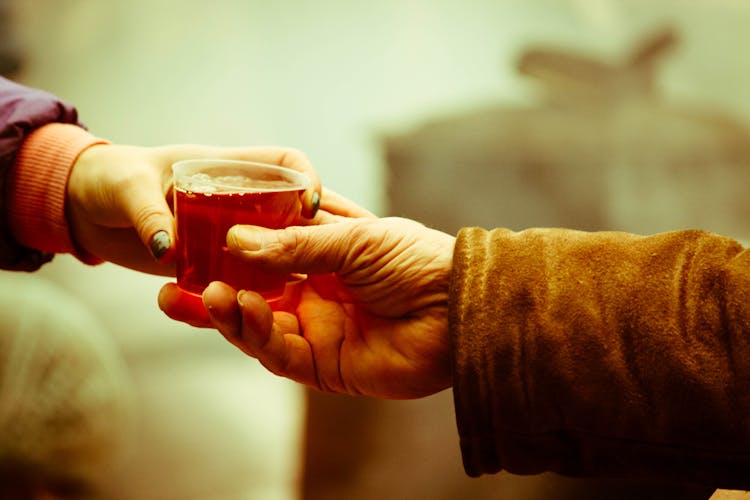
(119, 198)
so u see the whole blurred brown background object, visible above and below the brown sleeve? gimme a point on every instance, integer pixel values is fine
(601, 149)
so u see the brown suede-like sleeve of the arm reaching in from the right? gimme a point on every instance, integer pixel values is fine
(603, 354)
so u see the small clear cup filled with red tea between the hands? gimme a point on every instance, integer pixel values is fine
(210, 196)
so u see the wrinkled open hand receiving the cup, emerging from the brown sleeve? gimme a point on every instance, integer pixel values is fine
(370, 319)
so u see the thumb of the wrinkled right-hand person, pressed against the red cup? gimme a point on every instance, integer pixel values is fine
(295, 249)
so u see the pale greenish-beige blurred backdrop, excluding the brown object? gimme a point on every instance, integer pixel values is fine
(331, 77)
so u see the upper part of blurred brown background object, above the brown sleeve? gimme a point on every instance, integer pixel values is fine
(599, 128)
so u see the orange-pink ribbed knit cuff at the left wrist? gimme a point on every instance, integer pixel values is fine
(38, 186)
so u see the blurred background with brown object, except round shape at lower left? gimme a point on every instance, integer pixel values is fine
(594, 114)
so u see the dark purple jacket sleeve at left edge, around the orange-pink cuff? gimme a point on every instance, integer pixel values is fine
(23, 110)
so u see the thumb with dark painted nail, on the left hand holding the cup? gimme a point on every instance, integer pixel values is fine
(151, 218)
